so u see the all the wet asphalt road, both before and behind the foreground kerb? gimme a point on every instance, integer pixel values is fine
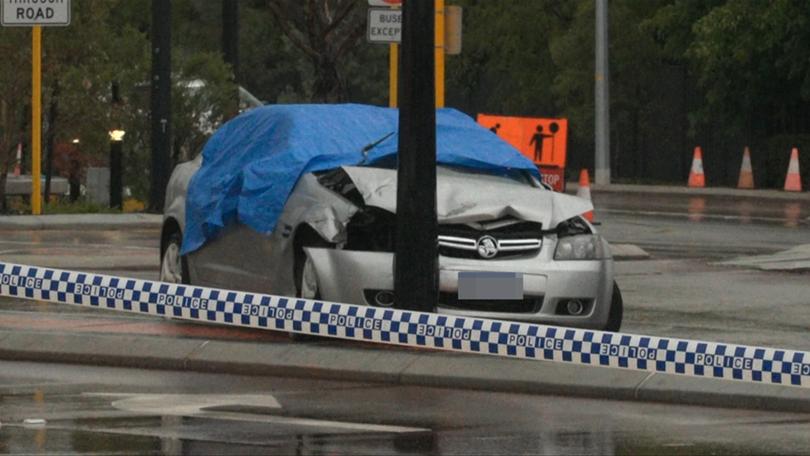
(679, 292)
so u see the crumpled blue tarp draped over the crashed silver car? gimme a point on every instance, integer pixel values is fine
(252, 163)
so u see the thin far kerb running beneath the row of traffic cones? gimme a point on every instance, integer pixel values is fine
(708, 191)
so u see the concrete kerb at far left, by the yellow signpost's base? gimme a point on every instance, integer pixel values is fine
(80, 221)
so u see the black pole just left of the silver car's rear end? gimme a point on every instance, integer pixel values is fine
(160, 101)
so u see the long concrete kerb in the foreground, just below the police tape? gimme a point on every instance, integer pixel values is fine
(394, 366)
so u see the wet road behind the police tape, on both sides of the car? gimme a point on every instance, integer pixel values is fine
(679, 292)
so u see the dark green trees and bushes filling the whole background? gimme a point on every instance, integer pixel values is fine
(719, 73)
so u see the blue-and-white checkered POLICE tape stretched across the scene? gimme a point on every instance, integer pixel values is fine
(409, 328)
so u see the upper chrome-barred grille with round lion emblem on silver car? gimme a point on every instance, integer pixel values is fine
(511, 239)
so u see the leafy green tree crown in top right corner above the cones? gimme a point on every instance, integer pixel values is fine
(752, 58)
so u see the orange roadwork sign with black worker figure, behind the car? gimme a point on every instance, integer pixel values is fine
(543, 141)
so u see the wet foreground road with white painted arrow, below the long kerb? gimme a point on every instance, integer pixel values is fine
(92, 410)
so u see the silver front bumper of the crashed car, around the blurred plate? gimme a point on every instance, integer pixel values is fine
(548, 286)
